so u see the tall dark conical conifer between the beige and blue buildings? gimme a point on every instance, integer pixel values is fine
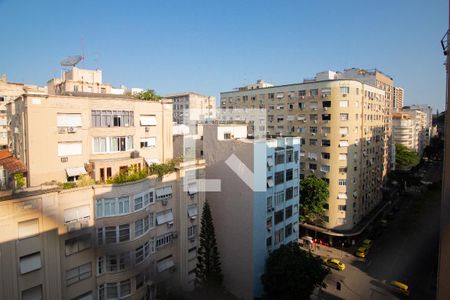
(208, 271)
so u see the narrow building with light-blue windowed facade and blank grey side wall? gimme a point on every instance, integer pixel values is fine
(250, 221)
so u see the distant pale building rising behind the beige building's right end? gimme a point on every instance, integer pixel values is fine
(186, 103)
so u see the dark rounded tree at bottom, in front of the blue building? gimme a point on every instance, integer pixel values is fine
(292, 273)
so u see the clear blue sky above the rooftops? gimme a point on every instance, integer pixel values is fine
(212, 46)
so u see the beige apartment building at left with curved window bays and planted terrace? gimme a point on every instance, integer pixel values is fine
(101, 241)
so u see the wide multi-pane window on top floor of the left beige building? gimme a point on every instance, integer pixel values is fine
(112, 118)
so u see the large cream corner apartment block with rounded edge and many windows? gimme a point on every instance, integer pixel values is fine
(343, 125)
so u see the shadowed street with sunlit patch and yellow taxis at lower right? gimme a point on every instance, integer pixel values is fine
(406, 251)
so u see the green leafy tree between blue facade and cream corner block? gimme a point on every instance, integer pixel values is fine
(313, 196)
